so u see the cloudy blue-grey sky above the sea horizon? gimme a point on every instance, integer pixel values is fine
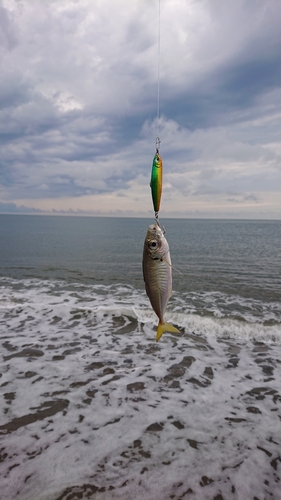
(79, 107)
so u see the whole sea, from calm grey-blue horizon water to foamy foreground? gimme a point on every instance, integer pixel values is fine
(93, 407)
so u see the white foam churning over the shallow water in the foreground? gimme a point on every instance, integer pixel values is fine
(199, 412)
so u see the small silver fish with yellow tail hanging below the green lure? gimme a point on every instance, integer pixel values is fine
(157, 275)
